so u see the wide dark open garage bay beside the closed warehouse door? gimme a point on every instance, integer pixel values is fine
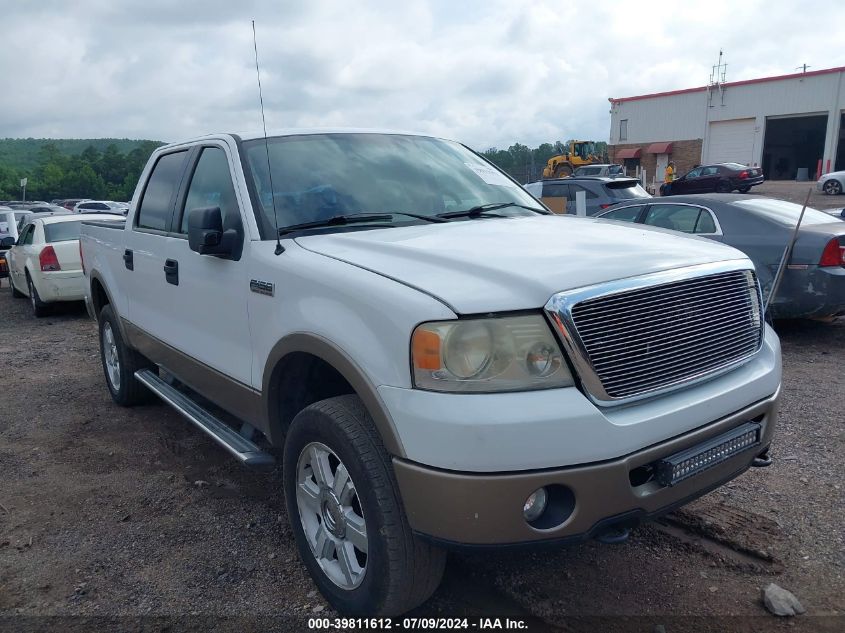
(793, 142)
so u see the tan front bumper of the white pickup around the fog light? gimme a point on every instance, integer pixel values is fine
(479, 509)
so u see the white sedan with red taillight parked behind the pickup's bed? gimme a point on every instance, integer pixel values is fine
(45, 265)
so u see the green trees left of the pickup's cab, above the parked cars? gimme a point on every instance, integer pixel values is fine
(108, 174)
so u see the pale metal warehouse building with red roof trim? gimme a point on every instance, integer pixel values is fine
(784, 124)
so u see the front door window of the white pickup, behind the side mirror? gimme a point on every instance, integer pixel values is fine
(211, 186)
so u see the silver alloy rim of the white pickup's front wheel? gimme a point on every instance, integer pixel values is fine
(331, 515)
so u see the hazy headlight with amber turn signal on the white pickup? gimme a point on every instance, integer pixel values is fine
(492, 354)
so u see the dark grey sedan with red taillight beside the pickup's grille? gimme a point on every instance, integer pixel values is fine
(814, 282)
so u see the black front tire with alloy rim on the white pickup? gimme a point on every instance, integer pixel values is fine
(398, 571)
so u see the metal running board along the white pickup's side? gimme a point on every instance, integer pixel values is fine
(236, 444)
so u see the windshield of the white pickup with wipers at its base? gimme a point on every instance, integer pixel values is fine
(319, 176)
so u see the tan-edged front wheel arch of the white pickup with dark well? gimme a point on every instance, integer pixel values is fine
(326, 371)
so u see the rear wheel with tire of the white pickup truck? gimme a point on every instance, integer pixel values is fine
(120, 362)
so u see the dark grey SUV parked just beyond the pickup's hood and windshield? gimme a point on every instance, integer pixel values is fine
(602, 192)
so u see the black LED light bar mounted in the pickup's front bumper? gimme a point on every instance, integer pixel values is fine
(675, 468)
